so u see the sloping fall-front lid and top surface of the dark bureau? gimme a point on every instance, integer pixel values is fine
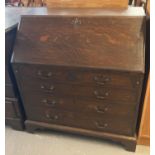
(86, 38)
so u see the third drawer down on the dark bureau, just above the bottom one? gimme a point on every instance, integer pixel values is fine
(77, 105)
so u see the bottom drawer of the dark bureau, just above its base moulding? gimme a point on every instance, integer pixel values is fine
(119, 125)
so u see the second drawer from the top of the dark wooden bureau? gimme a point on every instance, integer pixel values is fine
(94, 92)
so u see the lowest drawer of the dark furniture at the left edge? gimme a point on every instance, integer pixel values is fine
(11, 108)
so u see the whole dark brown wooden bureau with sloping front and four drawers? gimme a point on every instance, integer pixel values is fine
(81, 71)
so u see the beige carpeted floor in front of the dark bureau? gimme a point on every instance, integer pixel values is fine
(55, 143)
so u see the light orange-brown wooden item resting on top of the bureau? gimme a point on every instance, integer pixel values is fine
(116, 4)
